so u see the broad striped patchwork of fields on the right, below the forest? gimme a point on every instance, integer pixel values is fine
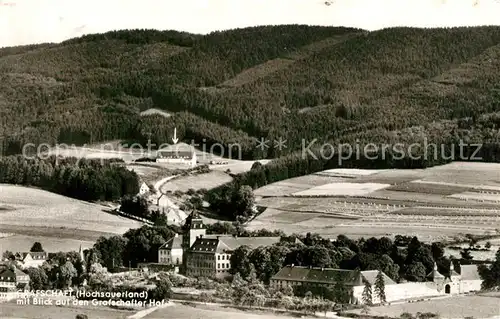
(411, 202)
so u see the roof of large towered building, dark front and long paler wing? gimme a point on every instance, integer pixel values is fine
(226, 243)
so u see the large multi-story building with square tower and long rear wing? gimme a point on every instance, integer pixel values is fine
(205, 255)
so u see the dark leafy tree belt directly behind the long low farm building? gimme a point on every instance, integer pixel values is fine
(404, 258)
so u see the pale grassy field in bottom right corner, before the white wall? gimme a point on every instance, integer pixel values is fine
(474, 306)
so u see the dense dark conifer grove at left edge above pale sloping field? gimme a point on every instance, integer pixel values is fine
(78, 178)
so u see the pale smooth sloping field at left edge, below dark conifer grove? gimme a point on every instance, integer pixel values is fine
(52, 219)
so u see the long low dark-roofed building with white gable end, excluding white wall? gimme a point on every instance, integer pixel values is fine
(311, 277)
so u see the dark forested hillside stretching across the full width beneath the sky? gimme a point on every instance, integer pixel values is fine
(295, 82)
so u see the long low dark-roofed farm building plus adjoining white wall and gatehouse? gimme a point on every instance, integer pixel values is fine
(437, 284)
